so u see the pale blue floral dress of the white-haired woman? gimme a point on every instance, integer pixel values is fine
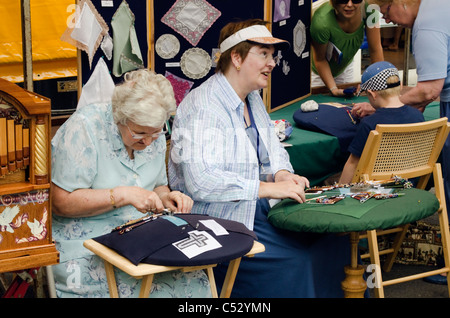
(88, 152)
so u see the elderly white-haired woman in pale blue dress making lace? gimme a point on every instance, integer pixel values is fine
(108, 167)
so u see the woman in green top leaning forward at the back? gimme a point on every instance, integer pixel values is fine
(337, 32)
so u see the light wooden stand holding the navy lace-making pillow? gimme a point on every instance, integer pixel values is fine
(146, 271)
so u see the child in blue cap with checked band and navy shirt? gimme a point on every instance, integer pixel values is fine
(381, 82)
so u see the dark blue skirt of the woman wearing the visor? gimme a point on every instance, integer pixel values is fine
(294, 265)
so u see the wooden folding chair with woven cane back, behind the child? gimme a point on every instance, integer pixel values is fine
(408, 151)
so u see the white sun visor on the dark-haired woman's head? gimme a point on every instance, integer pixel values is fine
(255, 33)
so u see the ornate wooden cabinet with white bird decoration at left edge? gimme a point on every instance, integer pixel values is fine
(25, 200)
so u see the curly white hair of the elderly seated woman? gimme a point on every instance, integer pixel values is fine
(145, 98)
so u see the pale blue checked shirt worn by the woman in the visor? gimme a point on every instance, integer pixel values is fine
(212, 159)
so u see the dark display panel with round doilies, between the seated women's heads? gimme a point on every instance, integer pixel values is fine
(186, 35)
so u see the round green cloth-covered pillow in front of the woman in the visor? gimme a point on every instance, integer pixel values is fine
(350, 215)
